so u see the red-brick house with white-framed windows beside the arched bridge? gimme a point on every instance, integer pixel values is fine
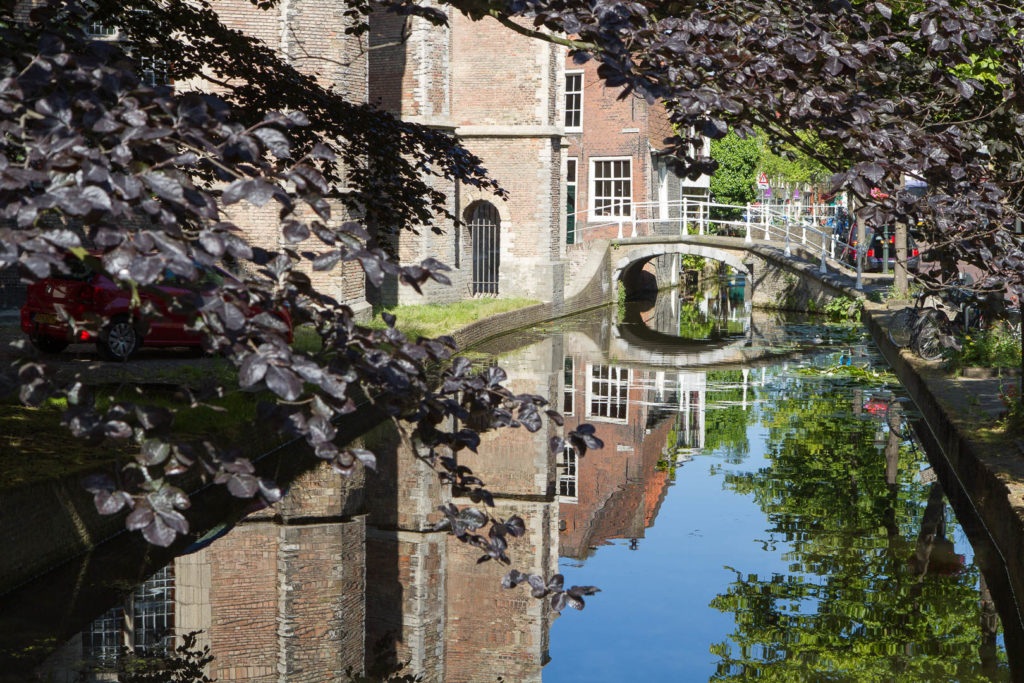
(616, 169)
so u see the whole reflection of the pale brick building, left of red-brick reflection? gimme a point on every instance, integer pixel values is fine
(344, 575)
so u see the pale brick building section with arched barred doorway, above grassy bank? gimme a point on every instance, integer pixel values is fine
(500, 93)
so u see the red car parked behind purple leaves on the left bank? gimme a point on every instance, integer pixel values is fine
(84, 294)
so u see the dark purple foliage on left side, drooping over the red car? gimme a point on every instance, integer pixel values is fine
(135, 181)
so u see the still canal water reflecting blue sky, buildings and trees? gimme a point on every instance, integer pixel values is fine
(761, 510)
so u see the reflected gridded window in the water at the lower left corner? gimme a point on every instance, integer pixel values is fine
(144, 625)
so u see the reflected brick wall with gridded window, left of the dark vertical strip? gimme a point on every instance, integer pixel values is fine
(279, 597)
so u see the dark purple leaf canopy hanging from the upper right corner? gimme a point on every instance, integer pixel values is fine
(887, 96)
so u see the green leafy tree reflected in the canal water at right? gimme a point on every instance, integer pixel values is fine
(874, 591)
